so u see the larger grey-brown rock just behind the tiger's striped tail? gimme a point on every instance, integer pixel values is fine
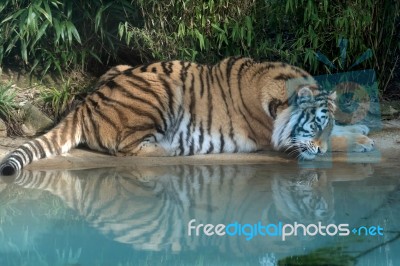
(34, 120)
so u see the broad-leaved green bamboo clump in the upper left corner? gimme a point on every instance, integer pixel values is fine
(54, 35)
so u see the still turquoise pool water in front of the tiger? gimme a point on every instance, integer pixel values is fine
(141, 215)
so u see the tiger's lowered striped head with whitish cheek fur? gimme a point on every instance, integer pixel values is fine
(305, 126)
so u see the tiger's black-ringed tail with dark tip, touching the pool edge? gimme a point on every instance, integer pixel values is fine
(66, 135)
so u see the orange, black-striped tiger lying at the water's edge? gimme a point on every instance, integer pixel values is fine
(179, 108)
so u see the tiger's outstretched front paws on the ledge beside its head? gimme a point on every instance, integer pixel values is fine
(351, 138)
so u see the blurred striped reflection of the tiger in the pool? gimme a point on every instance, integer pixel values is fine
(149, 207)
